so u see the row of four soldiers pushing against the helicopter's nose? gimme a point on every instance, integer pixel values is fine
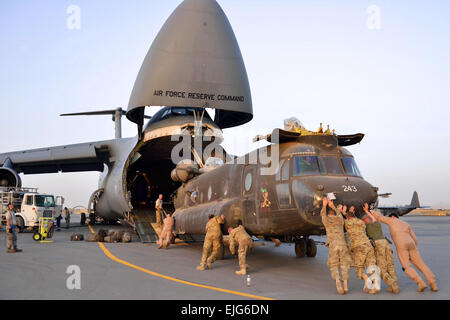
(370, 249)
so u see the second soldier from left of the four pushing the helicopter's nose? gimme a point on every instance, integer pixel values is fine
(360, 244)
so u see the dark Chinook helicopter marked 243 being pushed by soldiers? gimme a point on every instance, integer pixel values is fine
(284, 203)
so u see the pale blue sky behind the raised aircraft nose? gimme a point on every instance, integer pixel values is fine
(376, 67)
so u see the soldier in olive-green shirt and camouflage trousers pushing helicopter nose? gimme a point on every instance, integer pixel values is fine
(383, 251)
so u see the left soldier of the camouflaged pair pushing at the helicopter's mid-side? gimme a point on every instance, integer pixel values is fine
(212, 244)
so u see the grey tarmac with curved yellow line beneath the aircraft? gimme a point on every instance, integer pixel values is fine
(141, 271)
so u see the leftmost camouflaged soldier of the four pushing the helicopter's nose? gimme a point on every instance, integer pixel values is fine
(339, 256)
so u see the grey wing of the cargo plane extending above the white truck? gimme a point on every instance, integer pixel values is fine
(89, 156)
